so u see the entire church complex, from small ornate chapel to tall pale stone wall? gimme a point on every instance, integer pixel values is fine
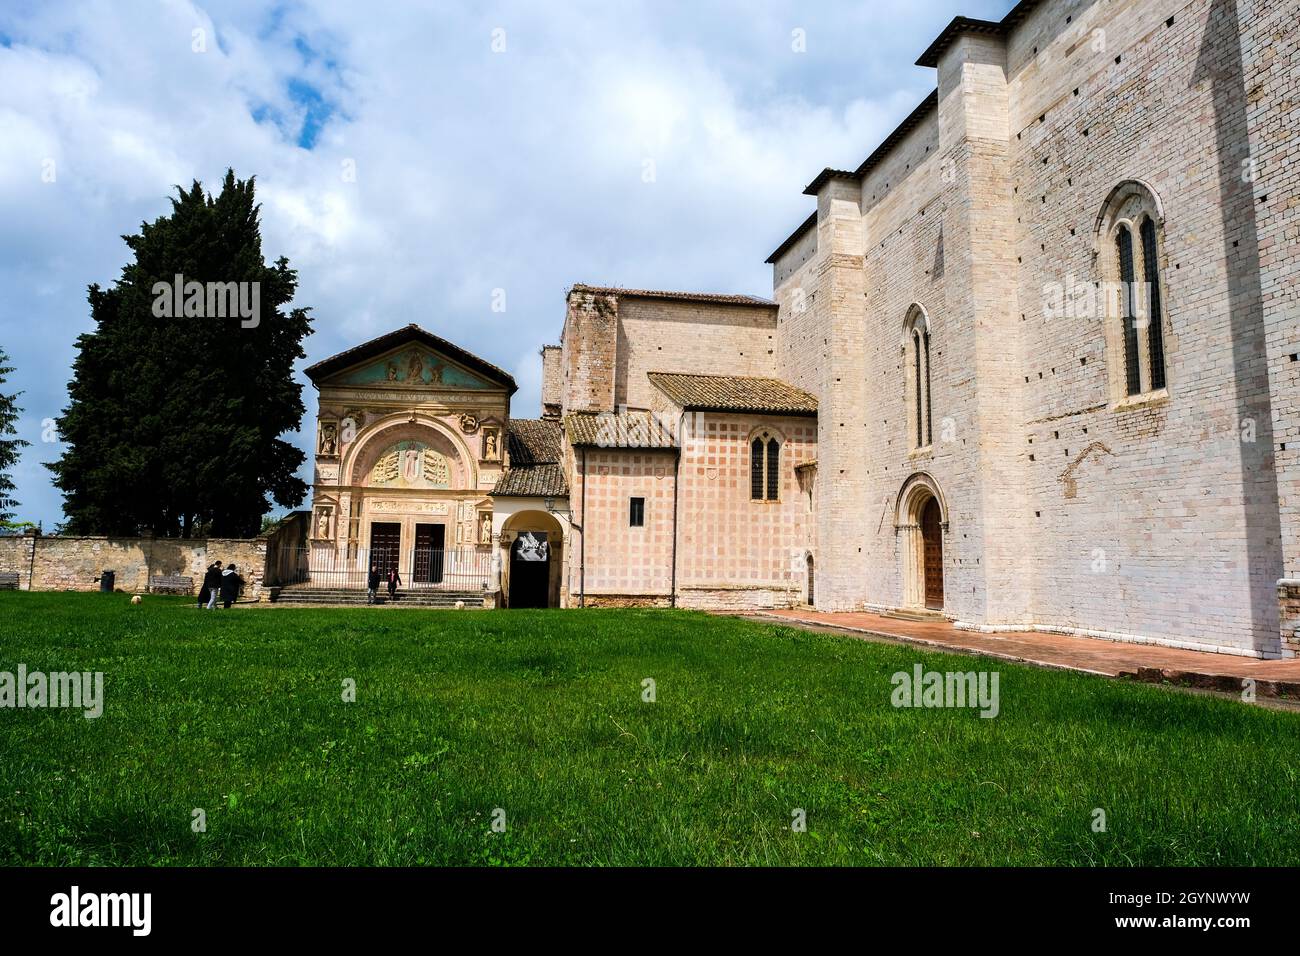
(1030, 366)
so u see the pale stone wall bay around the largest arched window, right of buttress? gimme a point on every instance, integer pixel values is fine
(1172, 534)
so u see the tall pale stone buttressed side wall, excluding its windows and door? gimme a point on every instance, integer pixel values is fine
(1151, 521)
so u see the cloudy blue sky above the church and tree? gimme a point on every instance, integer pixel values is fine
(496, 146)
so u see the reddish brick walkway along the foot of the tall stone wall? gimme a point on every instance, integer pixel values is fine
(1112, 659)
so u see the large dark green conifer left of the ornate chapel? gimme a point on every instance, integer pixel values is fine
(176, 413)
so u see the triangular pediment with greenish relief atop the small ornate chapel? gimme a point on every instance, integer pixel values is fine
(410, 358)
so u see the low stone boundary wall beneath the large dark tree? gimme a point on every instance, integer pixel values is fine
(77, 563)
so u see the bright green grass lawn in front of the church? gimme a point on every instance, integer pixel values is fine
(541, 715)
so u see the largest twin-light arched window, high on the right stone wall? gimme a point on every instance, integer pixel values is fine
(1129, 253)
